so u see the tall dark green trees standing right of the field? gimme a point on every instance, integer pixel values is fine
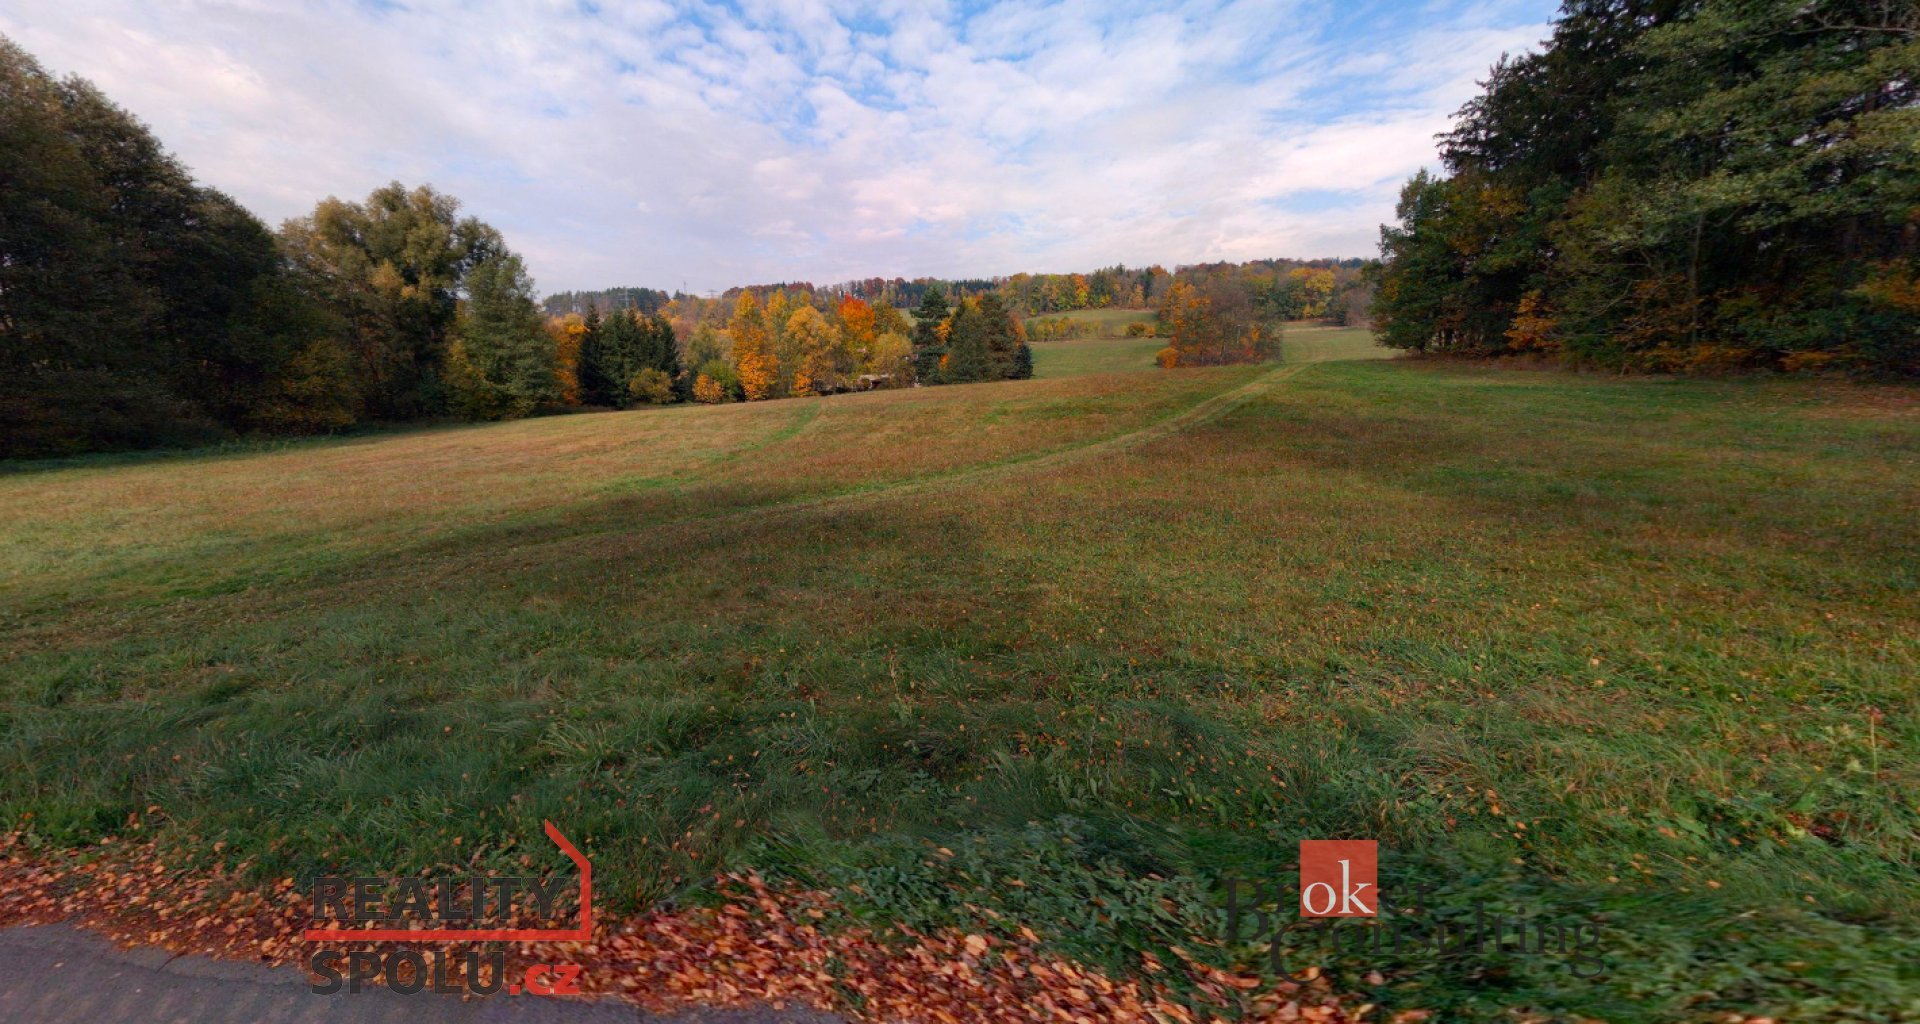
(1679, 185)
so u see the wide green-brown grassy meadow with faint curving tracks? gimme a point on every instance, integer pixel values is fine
(1065, 650)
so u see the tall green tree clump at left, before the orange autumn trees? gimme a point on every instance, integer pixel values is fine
(139, 308)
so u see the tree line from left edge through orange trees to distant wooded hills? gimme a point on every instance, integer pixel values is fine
(141, 308)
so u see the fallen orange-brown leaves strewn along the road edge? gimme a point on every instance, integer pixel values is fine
(759, 946)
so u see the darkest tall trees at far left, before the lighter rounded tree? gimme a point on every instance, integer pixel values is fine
(137, 308)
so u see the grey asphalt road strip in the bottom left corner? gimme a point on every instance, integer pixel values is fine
(59, 975)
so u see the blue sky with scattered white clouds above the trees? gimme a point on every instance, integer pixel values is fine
(669, 145)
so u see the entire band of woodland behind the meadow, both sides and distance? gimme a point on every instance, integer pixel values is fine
(1668, 187)
